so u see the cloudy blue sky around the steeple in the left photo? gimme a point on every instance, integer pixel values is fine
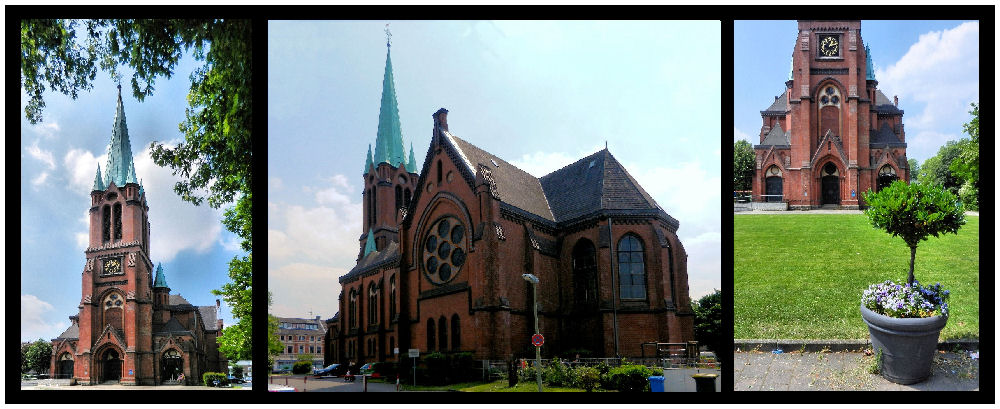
(59, 158)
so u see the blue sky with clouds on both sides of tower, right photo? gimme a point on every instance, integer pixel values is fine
(933, 66)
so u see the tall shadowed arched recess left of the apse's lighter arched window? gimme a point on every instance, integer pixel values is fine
(584, 328)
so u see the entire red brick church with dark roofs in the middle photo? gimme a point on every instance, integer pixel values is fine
(444, 243)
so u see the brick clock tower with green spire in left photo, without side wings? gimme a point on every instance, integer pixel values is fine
(117, 286)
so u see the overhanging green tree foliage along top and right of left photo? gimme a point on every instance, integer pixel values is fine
(214, 161)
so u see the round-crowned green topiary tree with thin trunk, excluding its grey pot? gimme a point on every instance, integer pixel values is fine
(913, 211)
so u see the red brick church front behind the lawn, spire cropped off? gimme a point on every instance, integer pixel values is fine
(831, 134)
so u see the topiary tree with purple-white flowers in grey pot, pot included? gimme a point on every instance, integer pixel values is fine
(904, 321)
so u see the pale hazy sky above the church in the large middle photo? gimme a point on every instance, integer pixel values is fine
(538, 94)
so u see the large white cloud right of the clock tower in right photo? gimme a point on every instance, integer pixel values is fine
(936, 79)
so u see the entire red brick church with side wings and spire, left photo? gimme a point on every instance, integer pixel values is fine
(129, 329)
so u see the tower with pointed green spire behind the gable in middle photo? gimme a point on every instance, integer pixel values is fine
(389, 176)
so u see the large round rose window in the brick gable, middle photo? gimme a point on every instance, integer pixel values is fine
(444, 250)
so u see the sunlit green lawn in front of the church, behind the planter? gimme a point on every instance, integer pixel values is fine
(801, 276)
